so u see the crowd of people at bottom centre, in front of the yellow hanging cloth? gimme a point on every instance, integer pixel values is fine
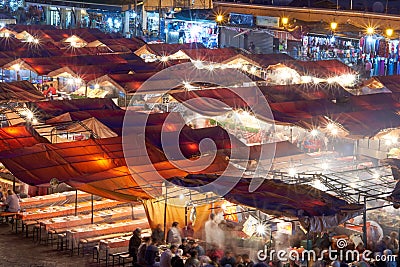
(175, 251)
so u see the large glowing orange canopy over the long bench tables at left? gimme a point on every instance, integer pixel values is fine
(94, 161)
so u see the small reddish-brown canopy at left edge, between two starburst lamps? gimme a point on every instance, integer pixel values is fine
(20, 91)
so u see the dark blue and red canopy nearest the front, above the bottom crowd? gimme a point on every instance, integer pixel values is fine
(279, 198)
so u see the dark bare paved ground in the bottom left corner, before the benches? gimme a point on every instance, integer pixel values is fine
(17, 250)
